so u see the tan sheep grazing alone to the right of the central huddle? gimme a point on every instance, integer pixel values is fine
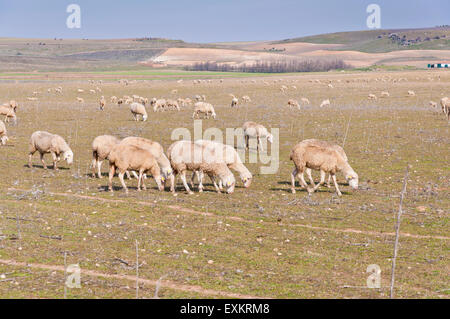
(326, 160)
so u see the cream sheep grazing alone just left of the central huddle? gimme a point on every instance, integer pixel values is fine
(45, 142)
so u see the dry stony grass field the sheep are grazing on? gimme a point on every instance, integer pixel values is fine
(257, 242)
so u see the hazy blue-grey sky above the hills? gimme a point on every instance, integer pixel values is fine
(211, 20)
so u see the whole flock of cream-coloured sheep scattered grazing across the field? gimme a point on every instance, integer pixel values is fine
(142, 156)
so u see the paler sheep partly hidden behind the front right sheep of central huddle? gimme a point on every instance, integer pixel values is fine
(231, 158)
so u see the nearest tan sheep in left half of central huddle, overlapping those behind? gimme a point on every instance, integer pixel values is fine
(125, 157)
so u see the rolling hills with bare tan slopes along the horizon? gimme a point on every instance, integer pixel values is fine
(411, 47)
